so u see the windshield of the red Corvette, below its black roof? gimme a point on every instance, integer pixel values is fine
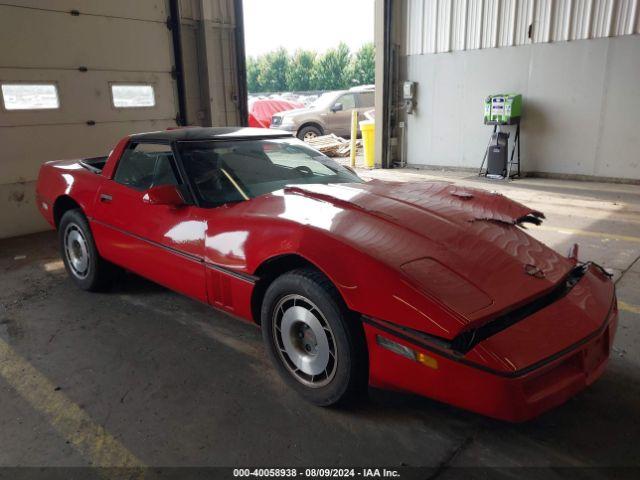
(224, 172)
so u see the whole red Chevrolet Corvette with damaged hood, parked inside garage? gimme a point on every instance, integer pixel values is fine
(424, 287)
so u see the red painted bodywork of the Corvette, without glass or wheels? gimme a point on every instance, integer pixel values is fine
(423, 263)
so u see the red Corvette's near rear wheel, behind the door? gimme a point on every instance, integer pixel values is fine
(83, 263)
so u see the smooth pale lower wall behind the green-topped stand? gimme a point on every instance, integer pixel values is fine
(581, 103)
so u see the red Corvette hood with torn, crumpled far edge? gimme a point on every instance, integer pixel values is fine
(462, 247)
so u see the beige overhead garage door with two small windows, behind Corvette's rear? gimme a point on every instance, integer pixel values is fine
(79, 51)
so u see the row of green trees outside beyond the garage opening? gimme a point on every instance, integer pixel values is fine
(305, 70)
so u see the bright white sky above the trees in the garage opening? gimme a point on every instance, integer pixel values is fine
(310, 24)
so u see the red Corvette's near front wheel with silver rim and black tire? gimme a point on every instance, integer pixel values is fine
(316, 344)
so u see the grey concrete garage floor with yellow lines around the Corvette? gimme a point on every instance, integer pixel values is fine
(142, 375)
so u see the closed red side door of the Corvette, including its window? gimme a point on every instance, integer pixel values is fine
(161, 242)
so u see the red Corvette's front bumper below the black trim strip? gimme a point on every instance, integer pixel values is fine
(512, 396)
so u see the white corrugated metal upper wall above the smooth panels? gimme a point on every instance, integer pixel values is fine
(435, 26)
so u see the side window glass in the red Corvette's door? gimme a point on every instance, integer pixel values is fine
(146, 165)
